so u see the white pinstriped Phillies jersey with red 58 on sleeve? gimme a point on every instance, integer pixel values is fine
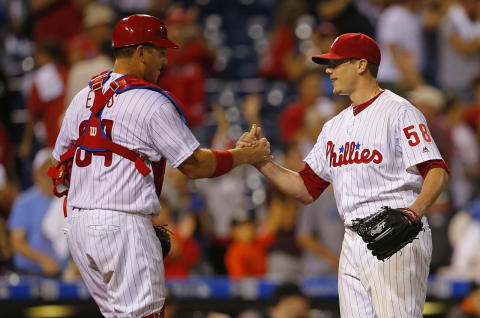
(370, 158)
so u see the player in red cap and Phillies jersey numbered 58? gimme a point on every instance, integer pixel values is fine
(386, 171)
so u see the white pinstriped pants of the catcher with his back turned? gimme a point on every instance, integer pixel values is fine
(120, 260)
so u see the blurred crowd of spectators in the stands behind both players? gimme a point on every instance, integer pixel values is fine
(240, 62)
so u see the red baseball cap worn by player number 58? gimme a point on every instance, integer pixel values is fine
(351, 45)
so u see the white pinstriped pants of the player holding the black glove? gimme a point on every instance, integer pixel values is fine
(370, 288)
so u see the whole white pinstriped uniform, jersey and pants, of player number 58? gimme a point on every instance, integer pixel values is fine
(389, 137)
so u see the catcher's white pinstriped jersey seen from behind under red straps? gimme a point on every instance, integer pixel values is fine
(142, 120)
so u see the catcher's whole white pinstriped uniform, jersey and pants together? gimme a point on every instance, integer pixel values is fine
(110, 234)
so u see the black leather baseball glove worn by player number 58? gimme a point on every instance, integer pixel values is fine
(388, 230)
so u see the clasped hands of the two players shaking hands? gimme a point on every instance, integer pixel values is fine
(255, 149)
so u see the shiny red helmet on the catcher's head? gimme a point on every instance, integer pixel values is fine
(141, 28)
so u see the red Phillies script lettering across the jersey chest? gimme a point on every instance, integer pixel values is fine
(350, 153)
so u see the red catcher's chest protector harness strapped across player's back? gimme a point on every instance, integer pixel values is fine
(94, 139)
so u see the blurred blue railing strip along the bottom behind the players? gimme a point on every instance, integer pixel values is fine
(197, 288)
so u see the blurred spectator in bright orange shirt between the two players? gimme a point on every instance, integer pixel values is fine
(246, 255)
